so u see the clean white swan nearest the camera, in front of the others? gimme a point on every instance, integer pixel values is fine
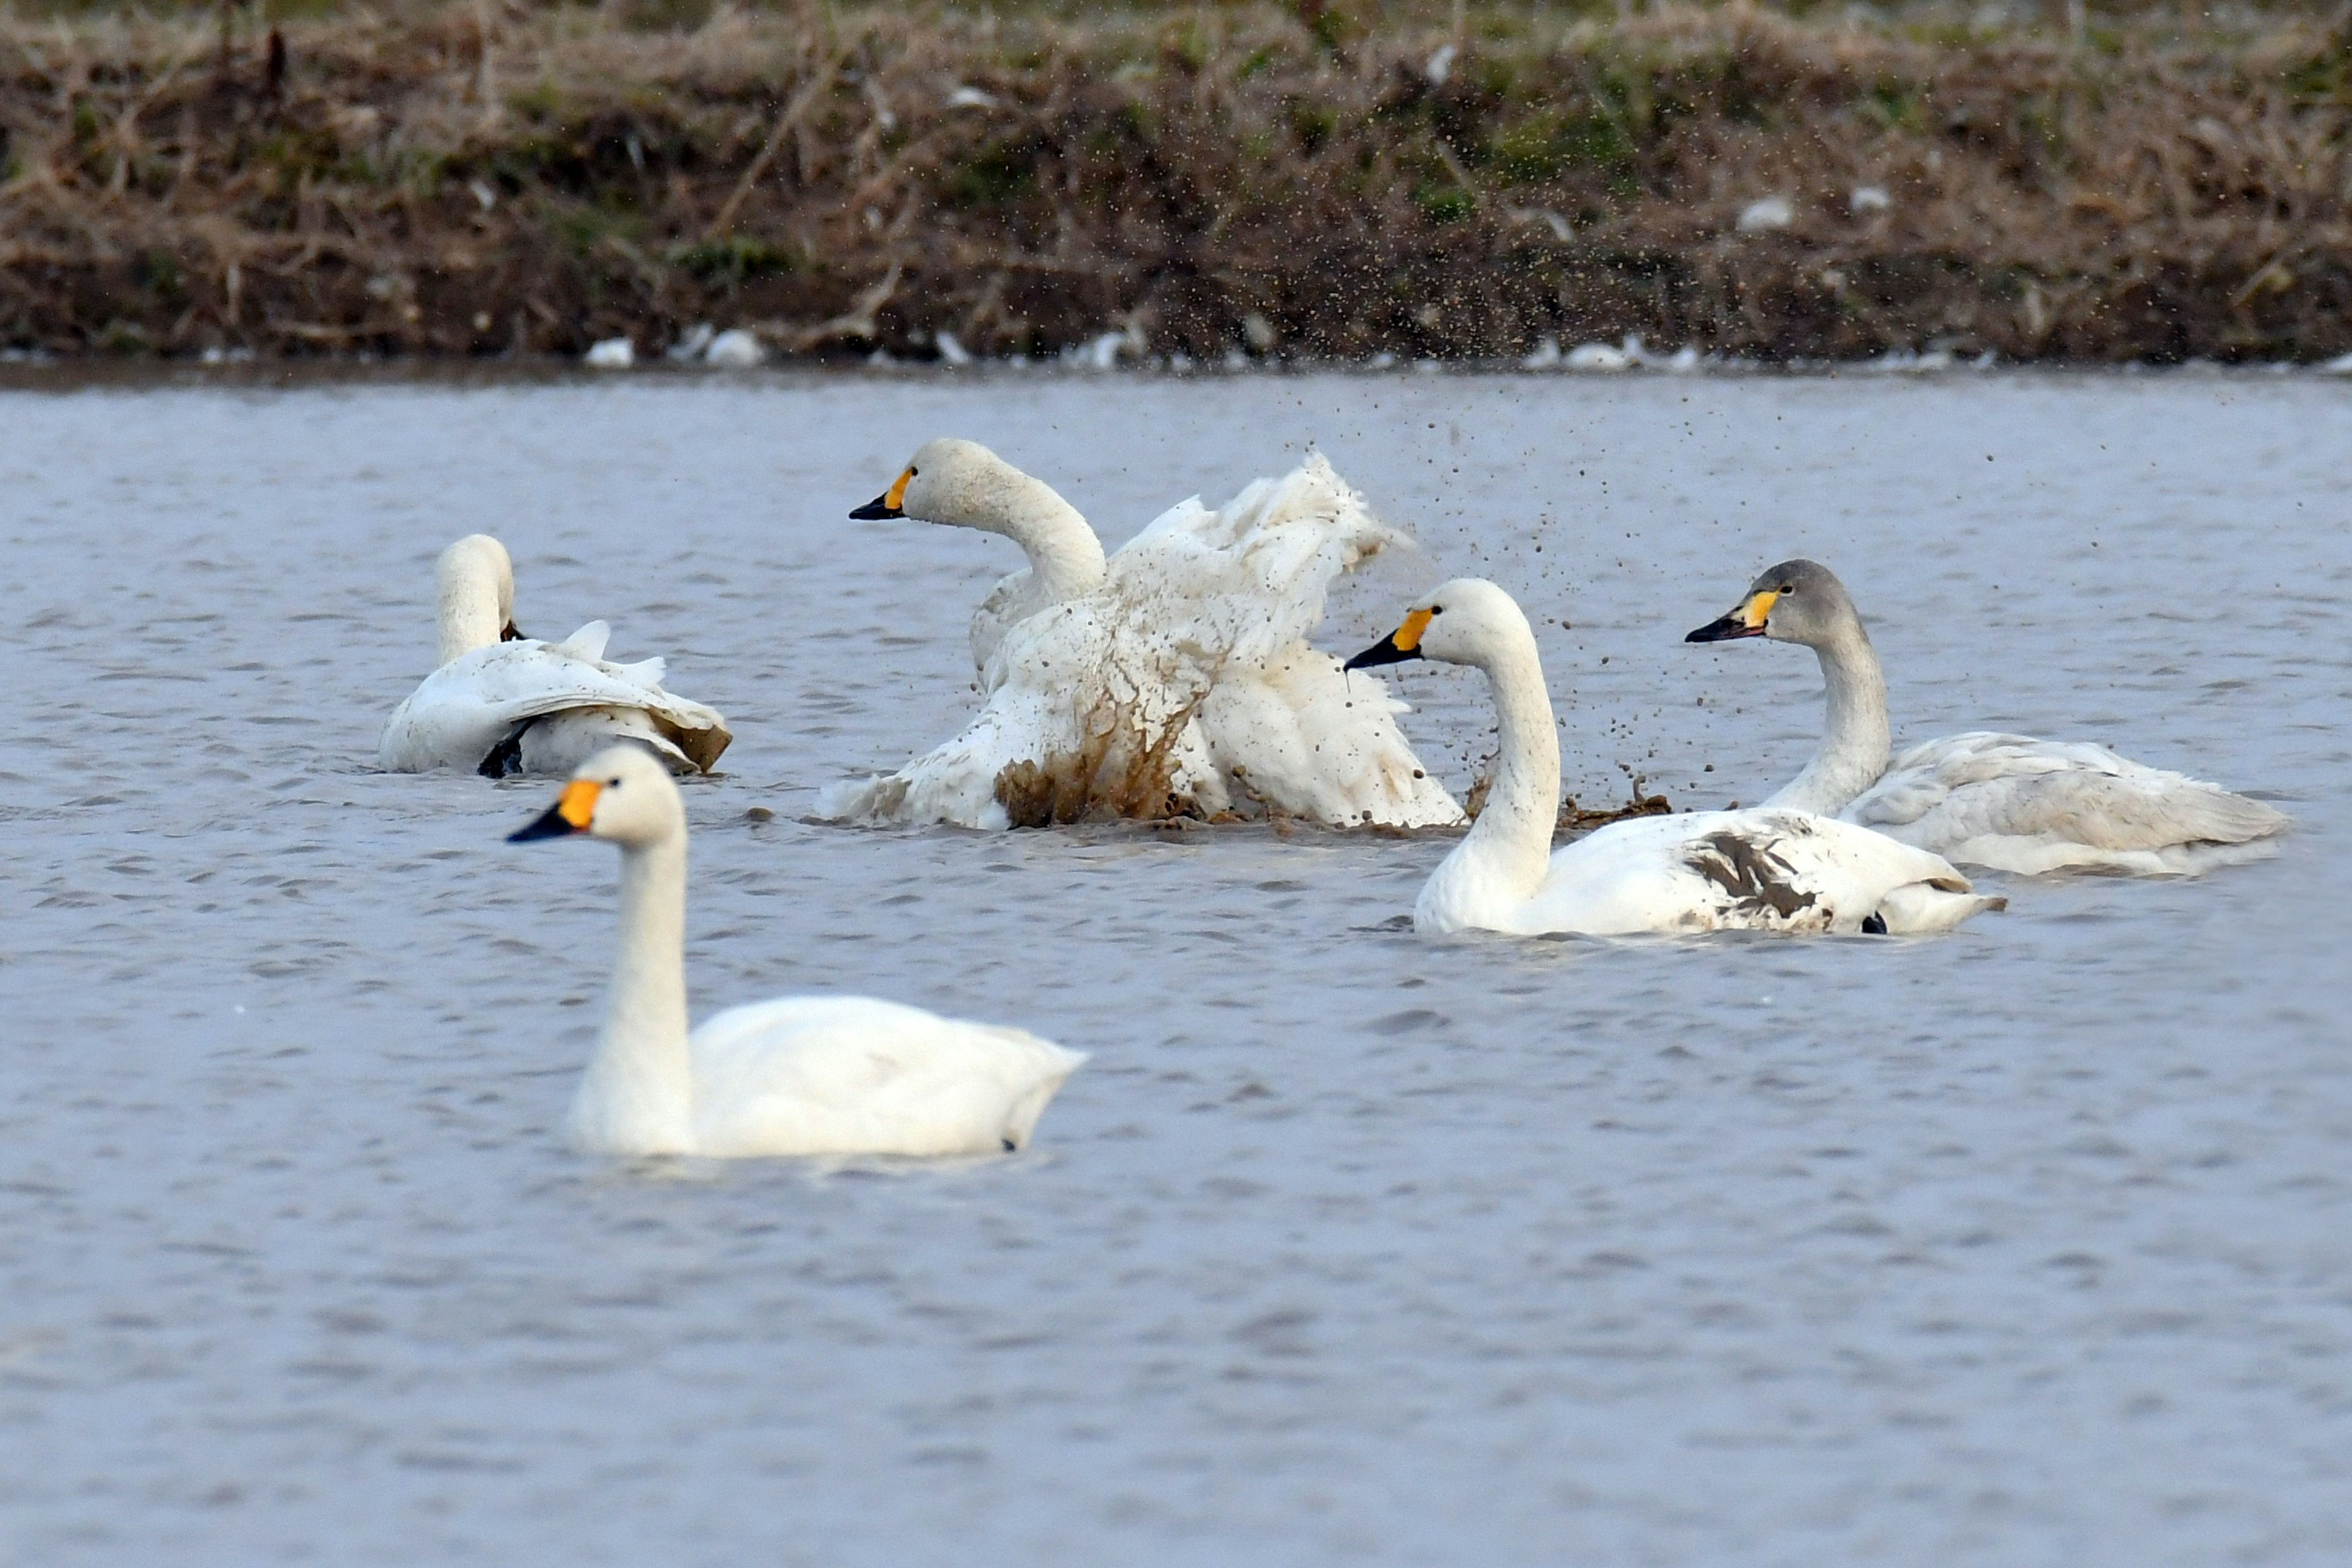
(796, 1076)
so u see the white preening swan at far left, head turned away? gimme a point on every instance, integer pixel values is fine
(505, 704)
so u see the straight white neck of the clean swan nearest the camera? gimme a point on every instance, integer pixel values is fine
(639, 1092)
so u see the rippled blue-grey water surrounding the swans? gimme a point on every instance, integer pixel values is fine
(2019, 1247)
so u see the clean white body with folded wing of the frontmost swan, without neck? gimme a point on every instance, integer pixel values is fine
(853, 1076)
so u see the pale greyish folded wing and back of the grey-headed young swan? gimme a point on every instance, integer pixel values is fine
(2024, 805)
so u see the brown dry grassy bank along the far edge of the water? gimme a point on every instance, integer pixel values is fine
(1292, 180)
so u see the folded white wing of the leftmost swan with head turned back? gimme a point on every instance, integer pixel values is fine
(483, 699)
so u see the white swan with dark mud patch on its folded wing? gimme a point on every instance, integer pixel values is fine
(1704, 871)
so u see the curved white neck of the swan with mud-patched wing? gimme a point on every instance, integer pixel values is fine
(1509, 850)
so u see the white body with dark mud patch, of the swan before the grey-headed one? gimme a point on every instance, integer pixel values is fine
(1744, 871)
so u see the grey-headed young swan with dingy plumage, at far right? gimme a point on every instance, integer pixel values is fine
(1982, 798)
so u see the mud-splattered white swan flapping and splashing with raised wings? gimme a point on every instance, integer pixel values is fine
(1170, 676)
